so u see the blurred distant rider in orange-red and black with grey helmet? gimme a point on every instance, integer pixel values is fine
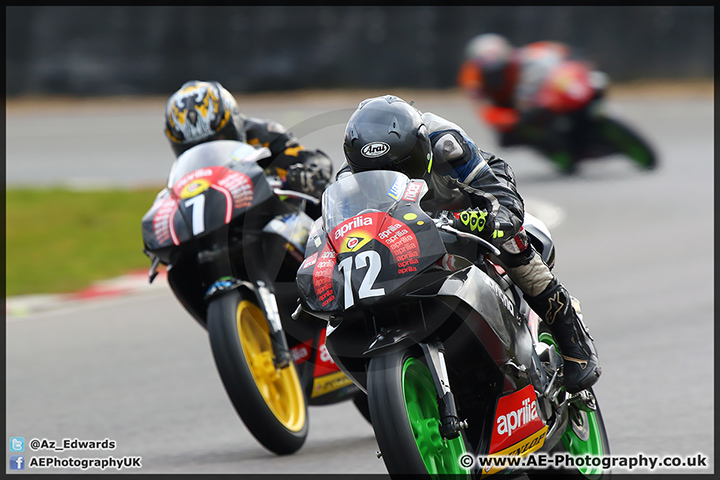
(522, 92)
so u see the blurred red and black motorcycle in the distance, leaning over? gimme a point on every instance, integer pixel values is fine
(569, 123)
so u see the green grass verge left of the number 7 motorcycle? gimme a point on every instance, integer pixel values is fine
(60, 240)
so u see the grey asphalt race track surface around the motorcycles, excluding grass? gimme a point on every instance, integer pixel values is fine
(635, 247)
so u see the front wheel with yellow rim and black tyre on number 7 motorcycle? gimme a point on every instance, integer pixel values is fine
(269, 401)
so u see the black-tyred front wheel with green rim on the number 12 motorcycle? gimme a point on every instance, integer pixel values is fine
(405, 417)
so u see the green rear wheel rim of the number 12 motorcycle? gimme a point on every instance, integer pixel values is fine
(585, 438)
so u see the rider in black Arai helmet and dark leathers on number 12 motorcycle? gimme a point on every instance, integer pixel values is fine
(424, 145)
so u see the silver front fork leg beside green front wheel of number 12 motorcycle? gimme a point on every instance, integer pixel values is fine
(450, 425)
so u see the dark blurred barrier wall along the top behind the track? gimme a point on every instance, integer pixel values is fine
(149, 50)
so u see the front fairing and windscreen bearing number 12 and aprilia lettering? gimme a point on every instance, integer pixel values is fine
(373, 238)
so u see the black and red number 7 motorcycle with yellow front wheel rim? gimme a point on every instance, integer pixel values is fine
(232, 240)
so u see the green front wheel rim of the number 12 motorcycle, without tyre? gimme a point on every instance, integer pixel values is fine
(440, 456)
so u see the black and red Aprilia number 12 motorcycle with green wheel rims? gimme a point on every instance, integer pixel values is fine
(458, 370)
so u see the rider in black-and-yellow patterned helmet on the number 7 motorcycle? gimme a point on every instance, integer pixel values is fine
(202, 111)
